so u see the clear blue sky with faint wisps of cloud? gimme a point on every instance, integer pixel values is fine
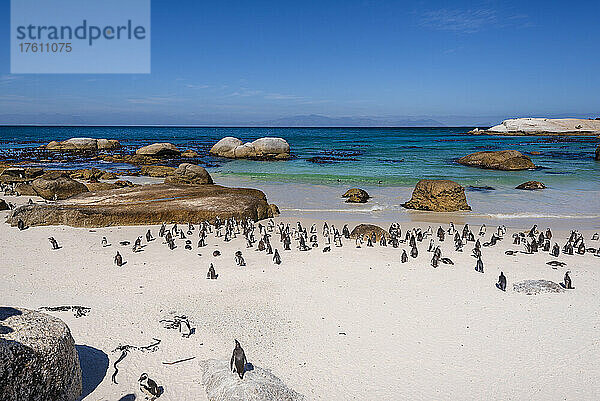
(234, 62)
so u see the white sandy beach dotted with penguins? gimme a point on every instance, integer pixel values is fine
(349, 324)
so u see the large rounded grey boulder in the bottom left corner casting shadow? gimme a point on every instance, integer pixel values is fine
(38, 359)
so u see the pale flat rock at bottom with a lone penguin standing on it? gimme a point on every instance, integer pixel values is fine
(258, 384)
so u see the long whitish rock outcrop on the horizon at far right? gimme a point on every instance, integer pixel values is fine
(546, 126)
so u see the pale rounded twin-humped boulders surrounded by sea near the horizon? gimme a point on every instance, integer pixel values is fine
(262, 149)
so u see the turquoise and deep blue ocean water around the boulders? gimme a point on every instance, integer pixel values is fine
(387, 162)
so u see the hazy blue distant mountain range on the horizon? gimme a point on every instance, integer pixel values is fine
(316, 120)
